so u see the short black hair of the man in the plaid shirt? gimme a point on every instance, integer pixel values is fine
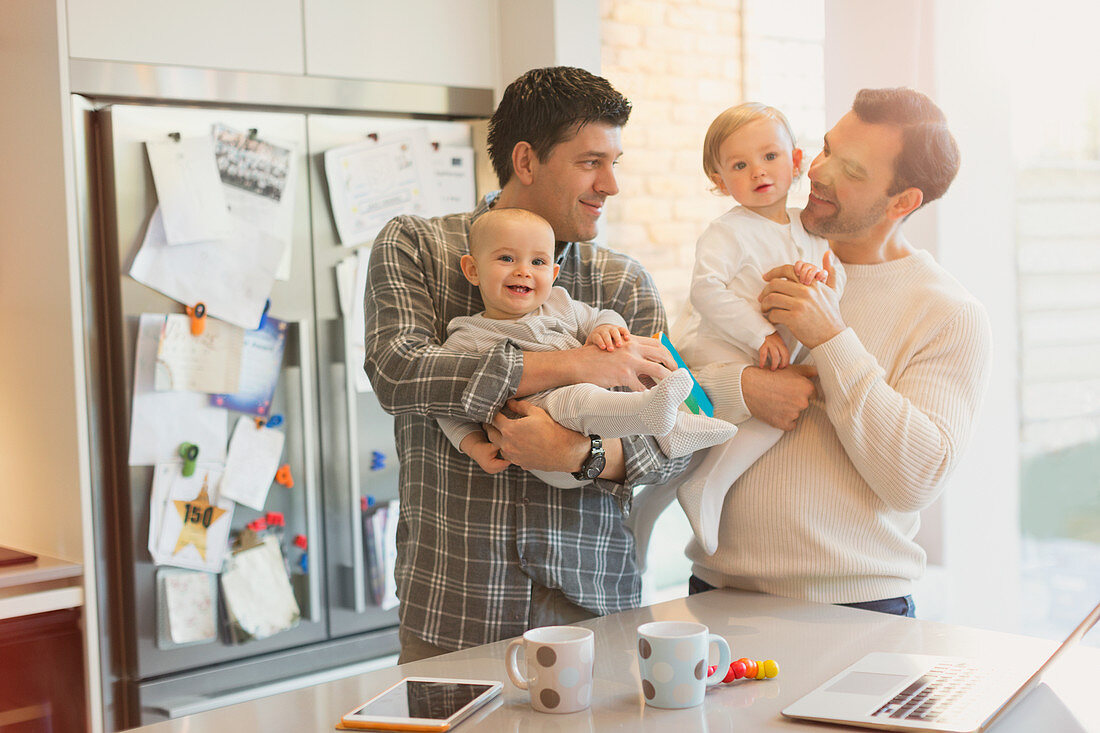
(547, 106)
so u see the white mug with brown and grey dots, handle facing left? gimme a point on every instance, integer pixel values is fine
(558, 662)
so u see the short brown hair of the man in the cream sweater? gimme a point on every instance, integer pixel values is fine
(930, 157)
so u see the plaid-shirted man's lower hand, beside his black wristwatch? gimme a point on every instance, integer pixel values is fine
(533, 441)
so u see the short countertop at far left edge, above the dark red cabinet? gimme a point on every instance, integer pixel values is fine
(46, 585)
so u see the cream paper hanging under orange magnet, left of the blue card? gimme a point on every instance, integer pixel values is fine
(210, 363)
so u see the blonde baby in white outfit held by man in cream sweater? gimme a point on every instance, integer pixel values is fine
(750, 155)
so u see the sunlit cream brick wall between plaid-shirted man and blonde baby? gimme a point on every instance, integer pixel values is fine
(680, 63)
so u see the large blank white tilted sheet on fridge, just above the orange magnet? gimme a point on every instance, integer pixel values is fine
(234, 278)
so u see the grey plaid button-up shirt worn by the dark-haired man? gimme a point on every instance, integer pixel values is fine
(471, 544)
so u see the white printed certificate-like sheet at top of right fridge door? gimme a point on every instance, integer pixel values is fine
(372, 182)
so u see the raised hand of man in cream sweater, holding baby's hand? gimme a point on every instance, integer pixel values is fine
(811, 312)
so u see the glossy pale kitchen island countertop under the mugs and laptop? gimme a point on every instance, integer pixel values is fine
(812, 642)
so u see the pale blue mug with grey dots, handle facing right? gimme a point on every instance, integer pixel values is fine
(673, 658)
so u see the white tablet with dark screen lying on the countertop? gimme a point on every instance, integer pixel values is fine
(423, 704)
